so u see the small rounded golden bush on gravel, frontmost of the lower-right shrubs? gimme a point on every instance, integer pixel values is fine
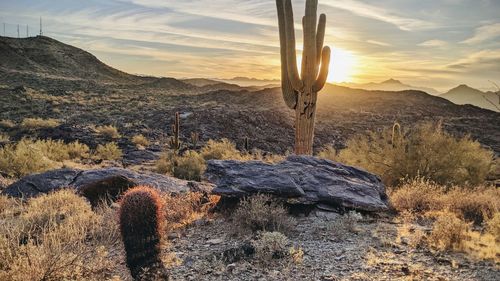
(448, 232)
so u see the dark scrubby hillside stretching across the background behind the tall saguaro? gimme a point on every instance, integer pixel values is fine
(58, 88)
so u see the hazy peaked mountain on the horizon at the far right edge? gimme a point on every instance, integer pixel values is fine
(464, 94)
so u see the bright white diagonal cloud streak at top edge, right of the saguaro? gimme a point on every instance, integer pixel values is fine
(381, 14)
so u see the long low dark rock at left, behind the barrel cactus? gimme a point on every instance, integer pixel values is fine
(95, 184)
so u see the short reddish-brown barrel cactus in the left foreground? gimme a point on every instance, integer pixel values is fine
(141, 220)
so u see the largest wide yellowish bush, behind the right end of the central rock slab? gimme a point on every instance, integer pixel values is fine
(419, 153)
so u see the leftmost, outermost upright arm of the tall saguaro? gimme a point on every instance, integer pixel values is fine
(289, 94)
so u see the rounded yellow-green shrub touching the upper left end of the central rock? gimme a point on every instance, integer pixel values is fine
(189, 166)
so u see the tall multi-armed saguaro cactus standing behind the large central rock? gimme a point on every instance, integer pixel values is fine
(301, 92)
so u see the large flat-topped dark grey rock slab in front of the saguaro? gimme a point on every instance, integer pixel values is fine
(301, 179)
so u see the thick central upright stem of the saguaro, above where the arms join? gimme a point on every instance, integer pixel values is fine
(309, 53)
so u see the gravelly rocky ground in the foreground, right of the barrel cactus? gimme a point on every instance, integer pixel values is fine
(372, 250)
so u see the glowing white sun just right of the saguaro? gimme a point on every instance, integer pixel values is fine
(343, 66)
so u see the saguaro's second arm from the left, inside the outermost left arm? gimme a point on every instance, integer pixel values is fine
(291, 55)
